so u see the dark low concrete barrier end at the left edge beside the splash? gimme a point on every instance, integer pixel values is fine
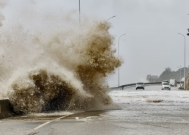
(5, 109)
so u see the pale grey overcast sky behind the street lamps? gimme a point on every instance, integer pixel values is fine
(151, 43)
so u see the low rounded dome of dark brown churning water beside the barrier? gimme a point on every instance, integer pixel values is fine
(42, 90)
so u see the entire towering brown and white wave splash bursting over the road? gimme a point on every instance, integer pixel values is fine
(50, 69)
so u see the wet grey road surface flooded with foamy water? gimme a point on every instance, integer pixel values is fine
(143, 112)
